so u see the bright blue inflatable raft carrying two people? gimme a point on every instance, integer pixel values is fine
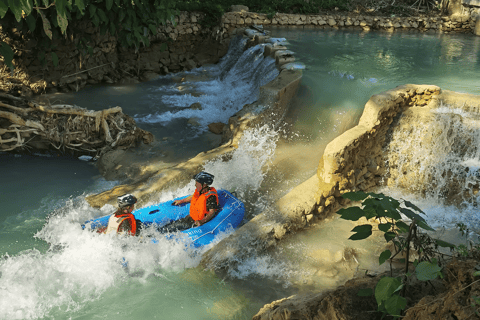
(228, 218)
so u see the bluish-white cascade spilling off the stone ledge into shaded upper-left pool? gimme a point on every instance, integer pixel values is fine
(232, 83)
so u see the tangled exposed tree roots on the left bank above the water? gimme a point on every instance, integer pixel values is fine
(26, 125)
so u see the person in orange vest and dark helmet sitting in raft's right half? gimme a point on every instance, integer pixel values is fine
(203, 205)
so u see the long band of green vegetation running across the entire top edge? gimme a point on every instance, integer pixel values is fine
(133, 21)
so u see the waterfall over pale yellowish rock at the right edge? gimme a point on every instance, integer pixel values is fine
(437, 157)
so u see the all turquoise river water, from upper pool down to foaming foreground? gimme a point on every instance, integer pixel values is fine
(52, 269)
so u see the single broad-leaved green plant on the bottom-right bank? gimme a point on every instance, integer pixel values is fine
(387, 211)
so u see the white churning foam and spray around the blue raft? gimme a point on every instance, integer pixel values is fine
(81, 267)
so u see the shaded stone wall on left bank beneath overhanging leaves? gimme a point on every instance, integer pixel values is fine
(188, 46)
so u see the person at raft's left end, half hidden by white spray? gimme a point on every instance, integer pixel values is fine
(122, 220)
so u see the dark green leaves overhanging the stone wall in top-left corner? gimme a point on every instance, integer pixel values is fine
(132, 21)
